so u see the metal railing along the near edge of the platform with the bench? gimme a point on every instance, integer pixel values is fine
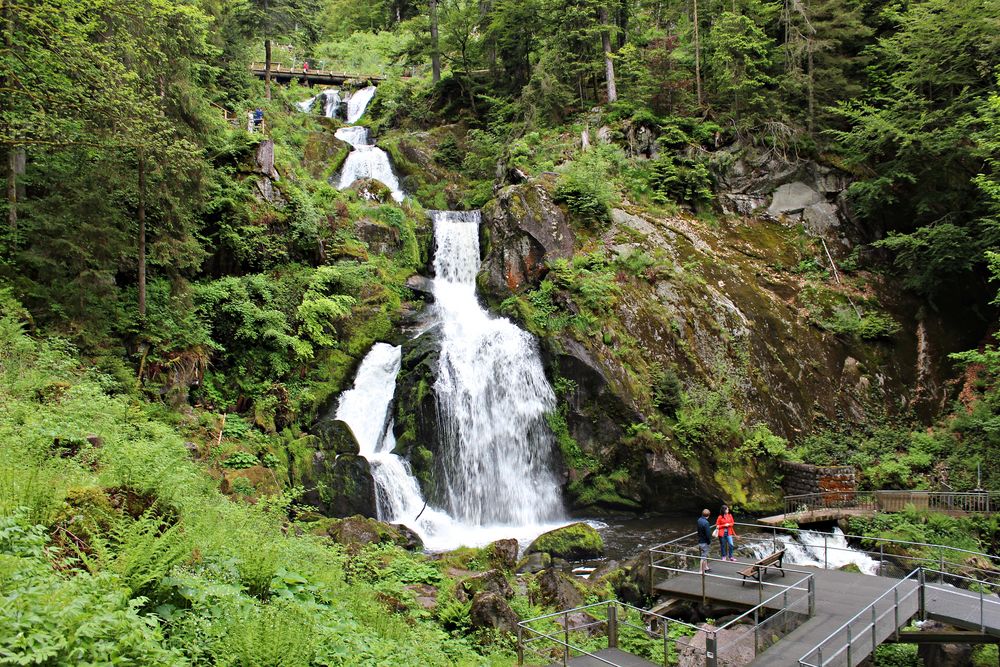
(780, 608)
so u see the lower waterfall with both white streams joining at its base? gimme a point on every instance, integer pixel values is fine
(492, 398)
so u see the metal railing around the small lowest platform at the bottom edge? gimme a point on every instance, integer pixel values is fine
(564, 635)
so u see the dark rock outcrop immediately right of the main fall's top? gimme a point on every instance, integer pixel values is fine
(523, 229)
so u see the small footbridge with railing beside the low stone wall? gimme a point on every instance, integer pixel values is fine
(833, 505)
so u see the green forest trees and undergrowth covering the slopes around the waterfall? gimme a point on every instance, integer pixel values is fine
(151, 291)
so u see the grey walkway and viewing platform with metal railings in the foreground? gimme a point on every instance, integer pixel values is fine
(811, 617)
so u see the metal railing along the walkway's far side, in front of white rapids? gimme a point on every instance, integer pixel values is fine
(893, 558)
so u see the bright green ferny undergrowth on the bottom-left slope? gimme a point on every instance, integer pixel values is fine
(116, 548)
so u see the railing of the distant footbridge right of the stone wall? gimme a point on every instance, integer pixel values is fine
(970, 502)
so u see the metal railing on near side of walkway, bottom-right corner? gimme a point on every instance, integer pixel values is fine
(862, 633)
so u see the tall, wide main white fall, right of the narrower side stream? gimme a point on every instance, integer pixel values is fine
(492, 396)
